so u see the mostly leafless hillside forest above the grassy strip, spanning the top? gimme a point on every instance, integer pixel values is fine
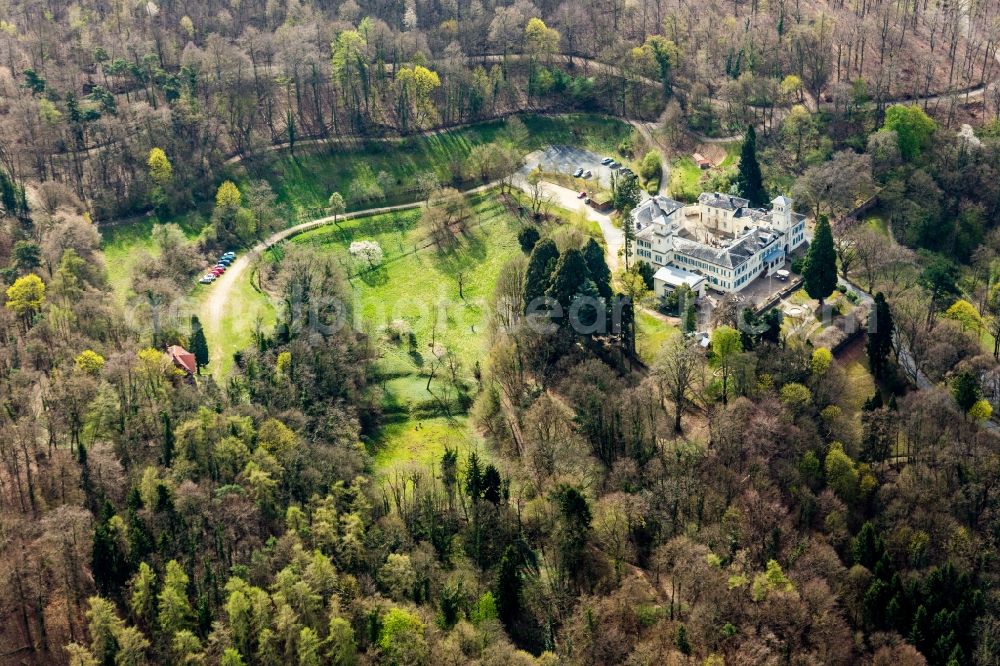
(90, 87)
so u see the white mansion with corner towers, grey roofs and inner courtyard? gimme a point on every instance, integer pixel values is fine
(720, 242)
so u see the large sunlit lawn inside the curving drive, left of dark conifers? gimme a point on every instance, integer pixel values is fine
(421, 289)
